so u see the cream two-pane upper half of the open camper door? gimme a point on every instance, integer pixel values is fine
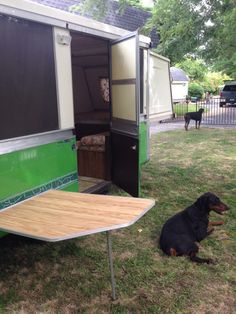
(125, 84)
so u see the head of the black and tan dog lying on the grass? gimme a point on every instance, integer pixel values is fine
(210, 201)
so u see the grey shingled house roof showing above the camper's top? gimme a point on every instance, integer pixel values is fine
(130, 18)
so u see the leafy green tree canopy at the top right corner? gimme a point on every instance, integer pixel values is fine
(204, 28)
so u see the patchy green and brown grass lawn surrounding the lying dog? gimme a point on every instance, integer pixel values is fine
(73, 276)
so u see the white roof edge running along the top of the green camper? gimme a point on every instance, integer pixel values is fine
(45, 14)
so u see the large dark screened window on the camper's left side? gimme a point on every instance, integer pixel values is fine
(28, 98)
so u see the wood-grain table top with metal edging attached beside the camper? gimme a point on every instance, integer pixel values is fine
(58, 215)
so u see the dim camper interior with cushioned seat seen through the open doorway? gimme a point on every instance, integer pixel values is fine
(92, 109)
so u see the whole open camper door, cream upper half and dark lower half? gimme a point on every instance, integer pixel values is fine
(125, 94)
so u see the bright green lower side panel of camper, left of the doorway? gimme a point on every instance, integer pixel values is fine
(28, 172)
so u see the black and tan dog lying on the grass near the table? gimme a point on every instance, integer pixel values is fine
(180, 232)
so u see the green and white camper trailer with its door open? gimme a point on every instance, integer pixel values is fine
(74, 101)
